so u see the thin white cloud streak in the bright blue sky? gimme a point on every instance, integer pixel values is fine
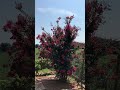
(56, 11)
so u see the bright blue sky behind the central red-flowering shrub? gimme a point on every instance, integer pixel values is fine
(47, 11)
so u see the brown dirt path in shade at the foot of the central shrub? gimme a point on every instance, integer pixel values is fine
(51, 83)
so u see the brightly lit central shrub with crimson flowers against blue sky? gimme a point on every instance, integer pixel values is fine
(59, 48)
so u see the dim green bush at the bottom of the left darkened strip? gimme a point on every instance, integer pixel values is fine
(17, 84)
